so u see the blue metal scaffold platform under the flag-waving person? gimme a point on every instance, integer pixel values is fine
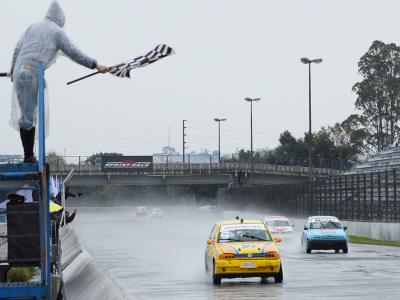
(29, 241)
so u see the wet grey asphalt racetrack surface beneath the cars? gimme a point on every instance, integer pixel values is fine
(164, 259)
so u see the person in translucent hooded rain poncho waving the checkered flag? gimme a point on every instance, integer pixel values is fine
(39, 44)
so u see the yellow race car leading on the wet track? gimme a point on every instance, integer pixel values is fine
(242, 248)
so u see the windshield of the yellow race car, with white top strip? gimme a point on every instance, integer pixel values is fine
(243, 233)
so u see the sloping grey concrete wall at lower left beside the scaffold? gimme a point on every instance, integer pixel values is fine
(82, 277)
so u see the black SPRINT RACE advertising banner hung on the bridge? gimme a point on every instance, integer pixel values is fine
(127, 163)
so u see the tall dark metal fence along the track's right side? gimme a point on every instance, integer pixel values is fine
(363, 197)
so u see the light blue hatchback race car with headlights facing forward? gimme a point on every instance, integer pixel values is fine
(324, 233)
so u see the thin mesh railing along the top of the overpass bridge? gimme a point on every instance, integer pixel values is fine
(166, 165)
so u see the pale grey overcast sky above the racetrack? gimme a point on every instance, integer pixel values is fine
(226, 51)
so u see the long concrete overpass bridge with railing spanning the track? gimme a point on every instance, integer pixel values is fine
(190, 173)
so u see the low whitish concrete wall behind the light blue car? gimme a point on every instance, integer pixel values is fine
(377, 231)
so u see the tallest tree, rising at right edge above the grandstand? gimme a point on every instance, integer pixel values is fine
(378, 93)
